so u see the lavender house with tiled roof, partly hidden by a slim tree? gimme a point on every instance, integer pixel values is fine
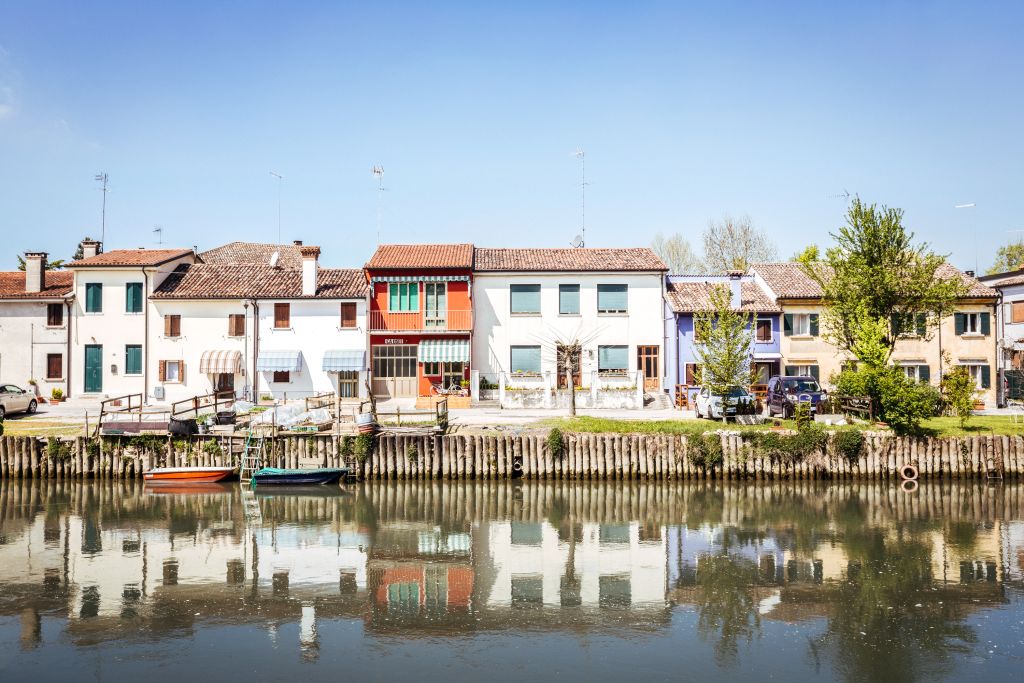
(688, 295)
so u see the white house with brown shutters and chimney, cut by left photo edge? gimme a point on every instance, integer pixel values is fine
(35, 331)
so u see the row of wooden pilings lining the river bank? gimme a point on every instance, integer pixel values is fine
(585, 456)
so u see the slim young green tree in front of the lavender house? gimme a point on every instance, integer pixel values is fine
(724, 347)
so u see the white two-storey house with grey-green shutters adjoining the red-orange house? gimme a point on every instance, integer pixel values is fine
(527, 303)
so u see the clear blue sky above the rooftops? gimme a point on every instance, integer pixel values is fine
(687, 112)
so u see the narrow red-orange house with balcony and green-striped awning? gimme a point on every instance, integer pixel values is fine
(421, 318)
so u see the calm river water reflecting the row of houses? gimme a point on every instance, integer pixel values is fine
(507, 582)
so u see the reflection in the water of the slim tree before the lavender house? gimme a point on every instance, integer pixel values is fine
(727, 604)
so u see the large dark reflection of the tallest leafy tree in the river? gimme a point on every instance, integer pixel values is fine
(884, 622)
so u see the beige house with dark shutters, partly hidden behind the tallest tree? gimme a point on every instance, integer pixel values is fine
(967, 338)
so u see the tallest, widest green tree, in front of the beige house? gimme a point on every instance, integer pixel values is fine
(876, 276)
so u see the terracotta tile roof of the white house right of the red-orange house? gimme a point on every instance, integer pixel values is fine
(565, 261)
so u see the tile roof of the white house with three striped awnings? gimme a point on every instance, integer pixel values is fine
(216, 281)
